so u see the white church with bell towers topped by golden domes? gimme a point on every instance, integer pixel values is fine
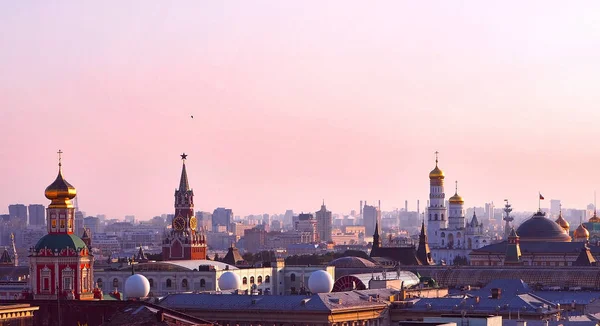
(450, 235)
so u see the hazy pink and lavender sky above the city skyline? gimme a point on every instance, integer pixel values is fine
(296, 101)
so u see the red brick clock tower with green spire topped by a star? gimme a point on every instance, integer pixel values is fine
(184, 242)
